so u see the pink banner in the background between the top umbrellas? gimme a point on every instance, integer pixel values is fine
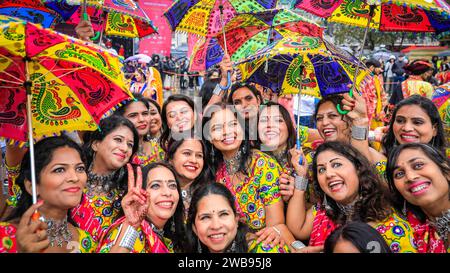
(157, 43)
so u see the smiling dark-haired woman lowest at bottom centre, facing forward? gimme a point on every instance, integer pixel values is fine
(213, 224)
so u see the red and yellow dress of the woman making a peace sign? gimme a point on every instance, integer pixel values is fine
(148, 241)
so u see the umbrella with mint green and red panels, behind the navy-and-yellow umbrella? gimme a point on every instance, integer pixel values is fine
(246, 33)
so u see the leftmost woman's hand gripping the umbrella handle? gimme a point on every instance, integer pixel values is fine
(31, 234)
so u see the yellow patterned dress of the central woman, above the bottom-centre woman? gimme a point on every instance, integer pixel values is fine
(259, 189)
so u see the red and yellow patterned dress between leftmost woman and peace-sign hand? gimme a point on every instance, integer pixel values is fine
(96, 213)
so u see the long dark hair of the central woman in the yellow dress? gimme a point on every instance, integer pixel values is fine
(216, 155)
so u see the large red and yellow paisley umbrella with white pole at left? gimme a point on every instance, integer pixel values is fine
(50, 83)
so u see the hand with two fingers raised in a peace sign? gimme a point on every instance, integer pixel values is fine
(135, 202)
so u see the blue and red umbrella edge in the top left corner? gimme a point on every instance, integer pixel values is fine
(29, 10)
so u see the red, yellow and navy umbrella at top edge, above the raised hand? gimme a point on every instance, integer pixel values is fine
(115, 18)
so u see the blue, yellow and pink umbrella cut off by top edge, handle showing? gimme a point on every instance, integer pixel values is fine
(208, 17)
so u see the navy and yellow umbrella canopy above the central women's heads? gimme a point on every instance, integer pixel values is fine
(309, 64)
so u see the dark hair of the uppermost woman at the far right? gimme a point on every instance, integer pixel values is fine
(389, 141)
